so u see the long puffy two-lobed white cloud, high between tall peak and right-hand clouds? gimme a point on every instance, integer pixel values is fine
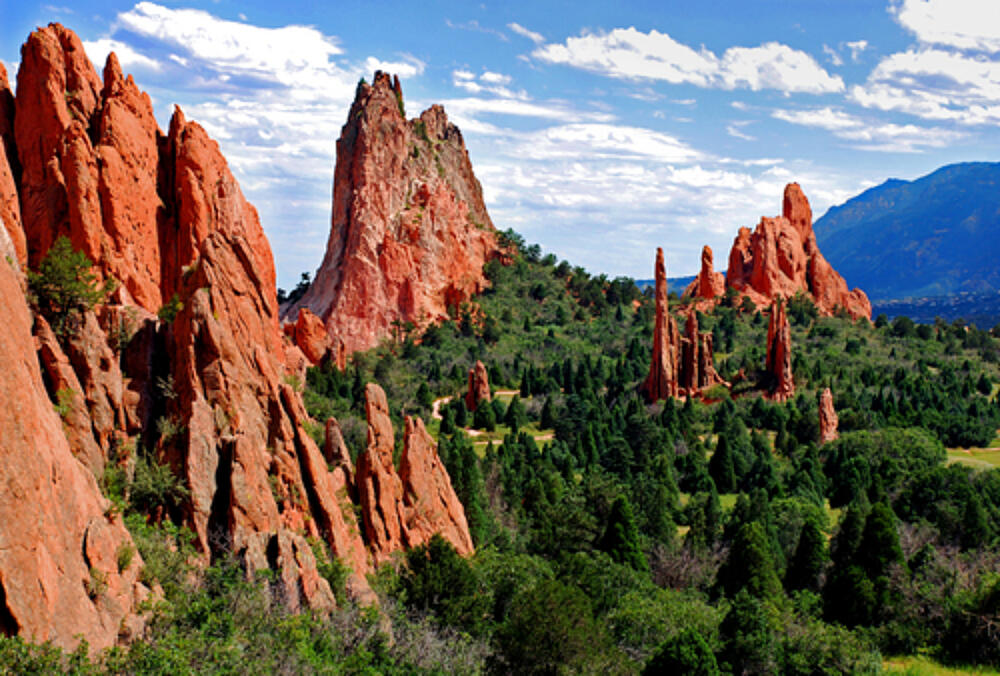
(628, 53)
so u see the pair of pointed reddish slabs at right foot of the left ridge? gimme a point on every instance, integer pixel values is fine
(405, 509)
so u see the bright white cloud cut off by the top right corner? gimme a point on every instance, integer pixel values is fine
(964, 24)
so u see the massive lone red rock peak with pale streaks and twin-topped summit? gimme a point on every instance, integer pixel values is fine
(410, 232)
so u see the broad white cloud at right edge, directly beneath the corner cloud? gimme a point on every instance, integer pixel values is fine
(935, 84)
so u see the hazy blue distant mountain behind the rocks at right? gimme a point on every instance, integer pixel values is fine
(935, 236)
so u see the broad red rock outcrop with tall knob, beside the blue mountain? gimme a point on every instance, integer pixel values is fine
(781, 258)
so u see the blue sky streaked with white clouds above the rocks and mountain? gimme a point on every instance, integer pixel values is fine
(599, 131)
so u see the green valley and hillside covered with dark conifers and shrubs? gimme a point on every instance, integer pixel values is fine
(616, 536)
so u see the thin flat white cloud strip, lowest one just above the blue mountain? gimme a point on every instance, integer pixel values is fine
(878, 136)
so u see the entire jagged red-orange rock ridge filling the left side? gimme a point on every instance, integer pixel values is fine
(201, 388)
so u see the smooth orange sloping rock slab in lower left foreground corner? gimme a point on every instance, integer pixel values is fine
(59, 577)
